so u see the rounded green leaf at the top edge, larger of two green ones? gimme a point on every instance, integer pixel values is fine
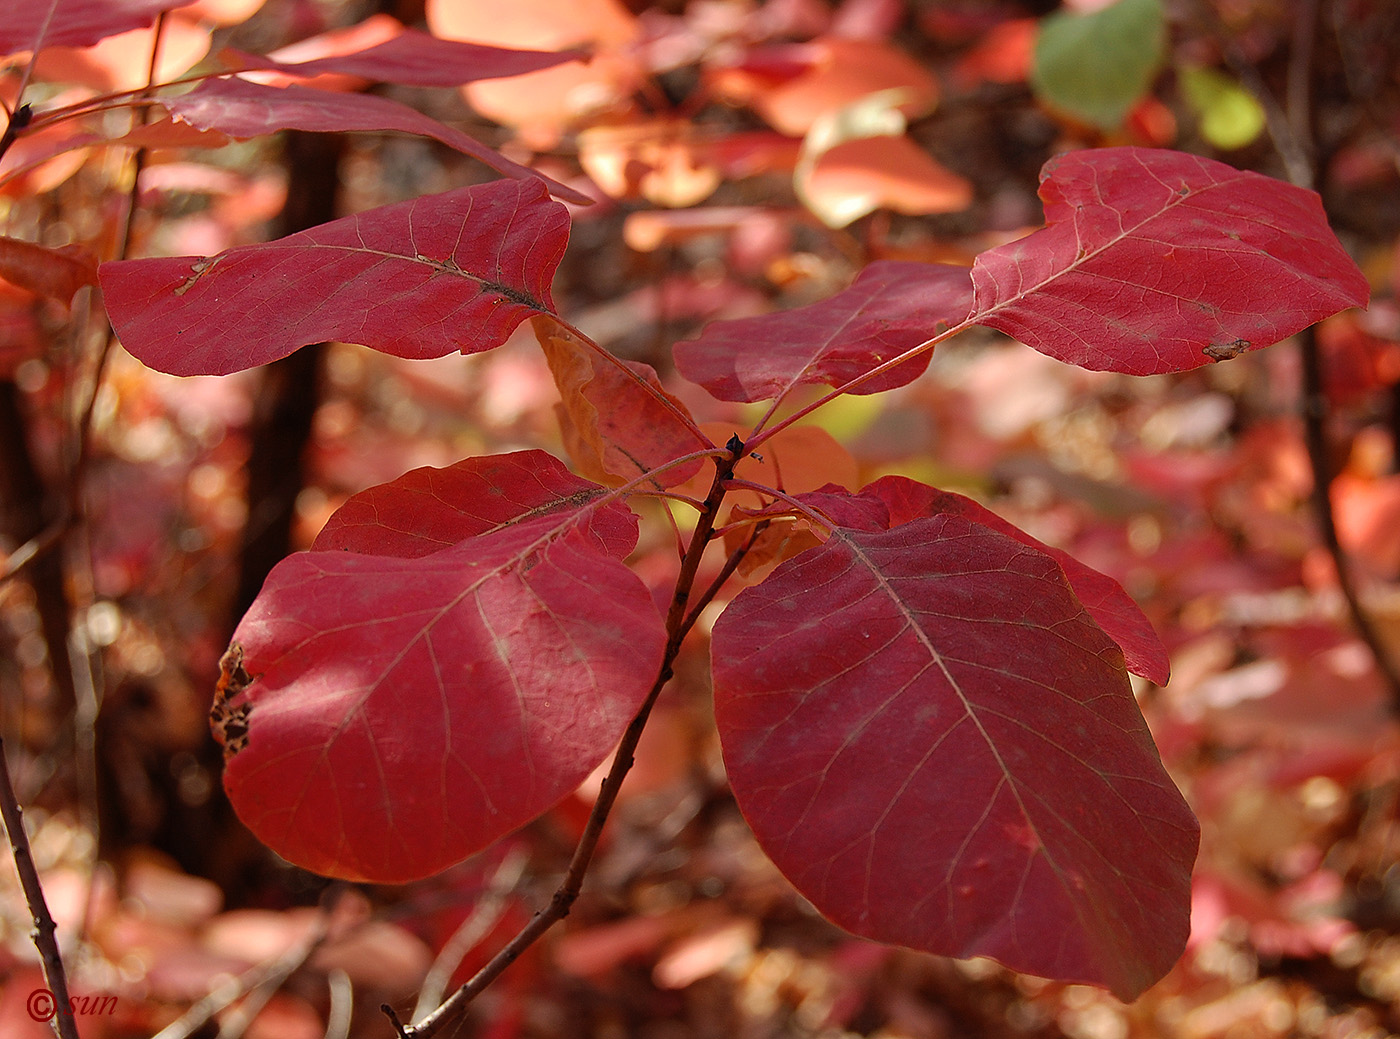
(1098, 67)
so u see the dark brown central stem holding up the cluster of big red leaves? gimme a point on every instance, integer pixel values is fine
(569, 888)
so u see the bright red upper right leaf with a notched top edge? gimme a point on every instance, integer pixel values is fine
(1157, 261)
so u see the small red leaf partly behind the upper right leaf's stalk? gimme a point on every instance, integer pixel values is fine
(890, 309)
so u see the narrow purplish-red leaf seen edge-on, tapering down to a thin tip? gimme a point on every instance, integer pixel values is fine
(248, 110)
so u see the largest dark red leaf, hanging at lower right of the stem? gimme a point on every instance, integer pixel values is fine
(940, 750)
